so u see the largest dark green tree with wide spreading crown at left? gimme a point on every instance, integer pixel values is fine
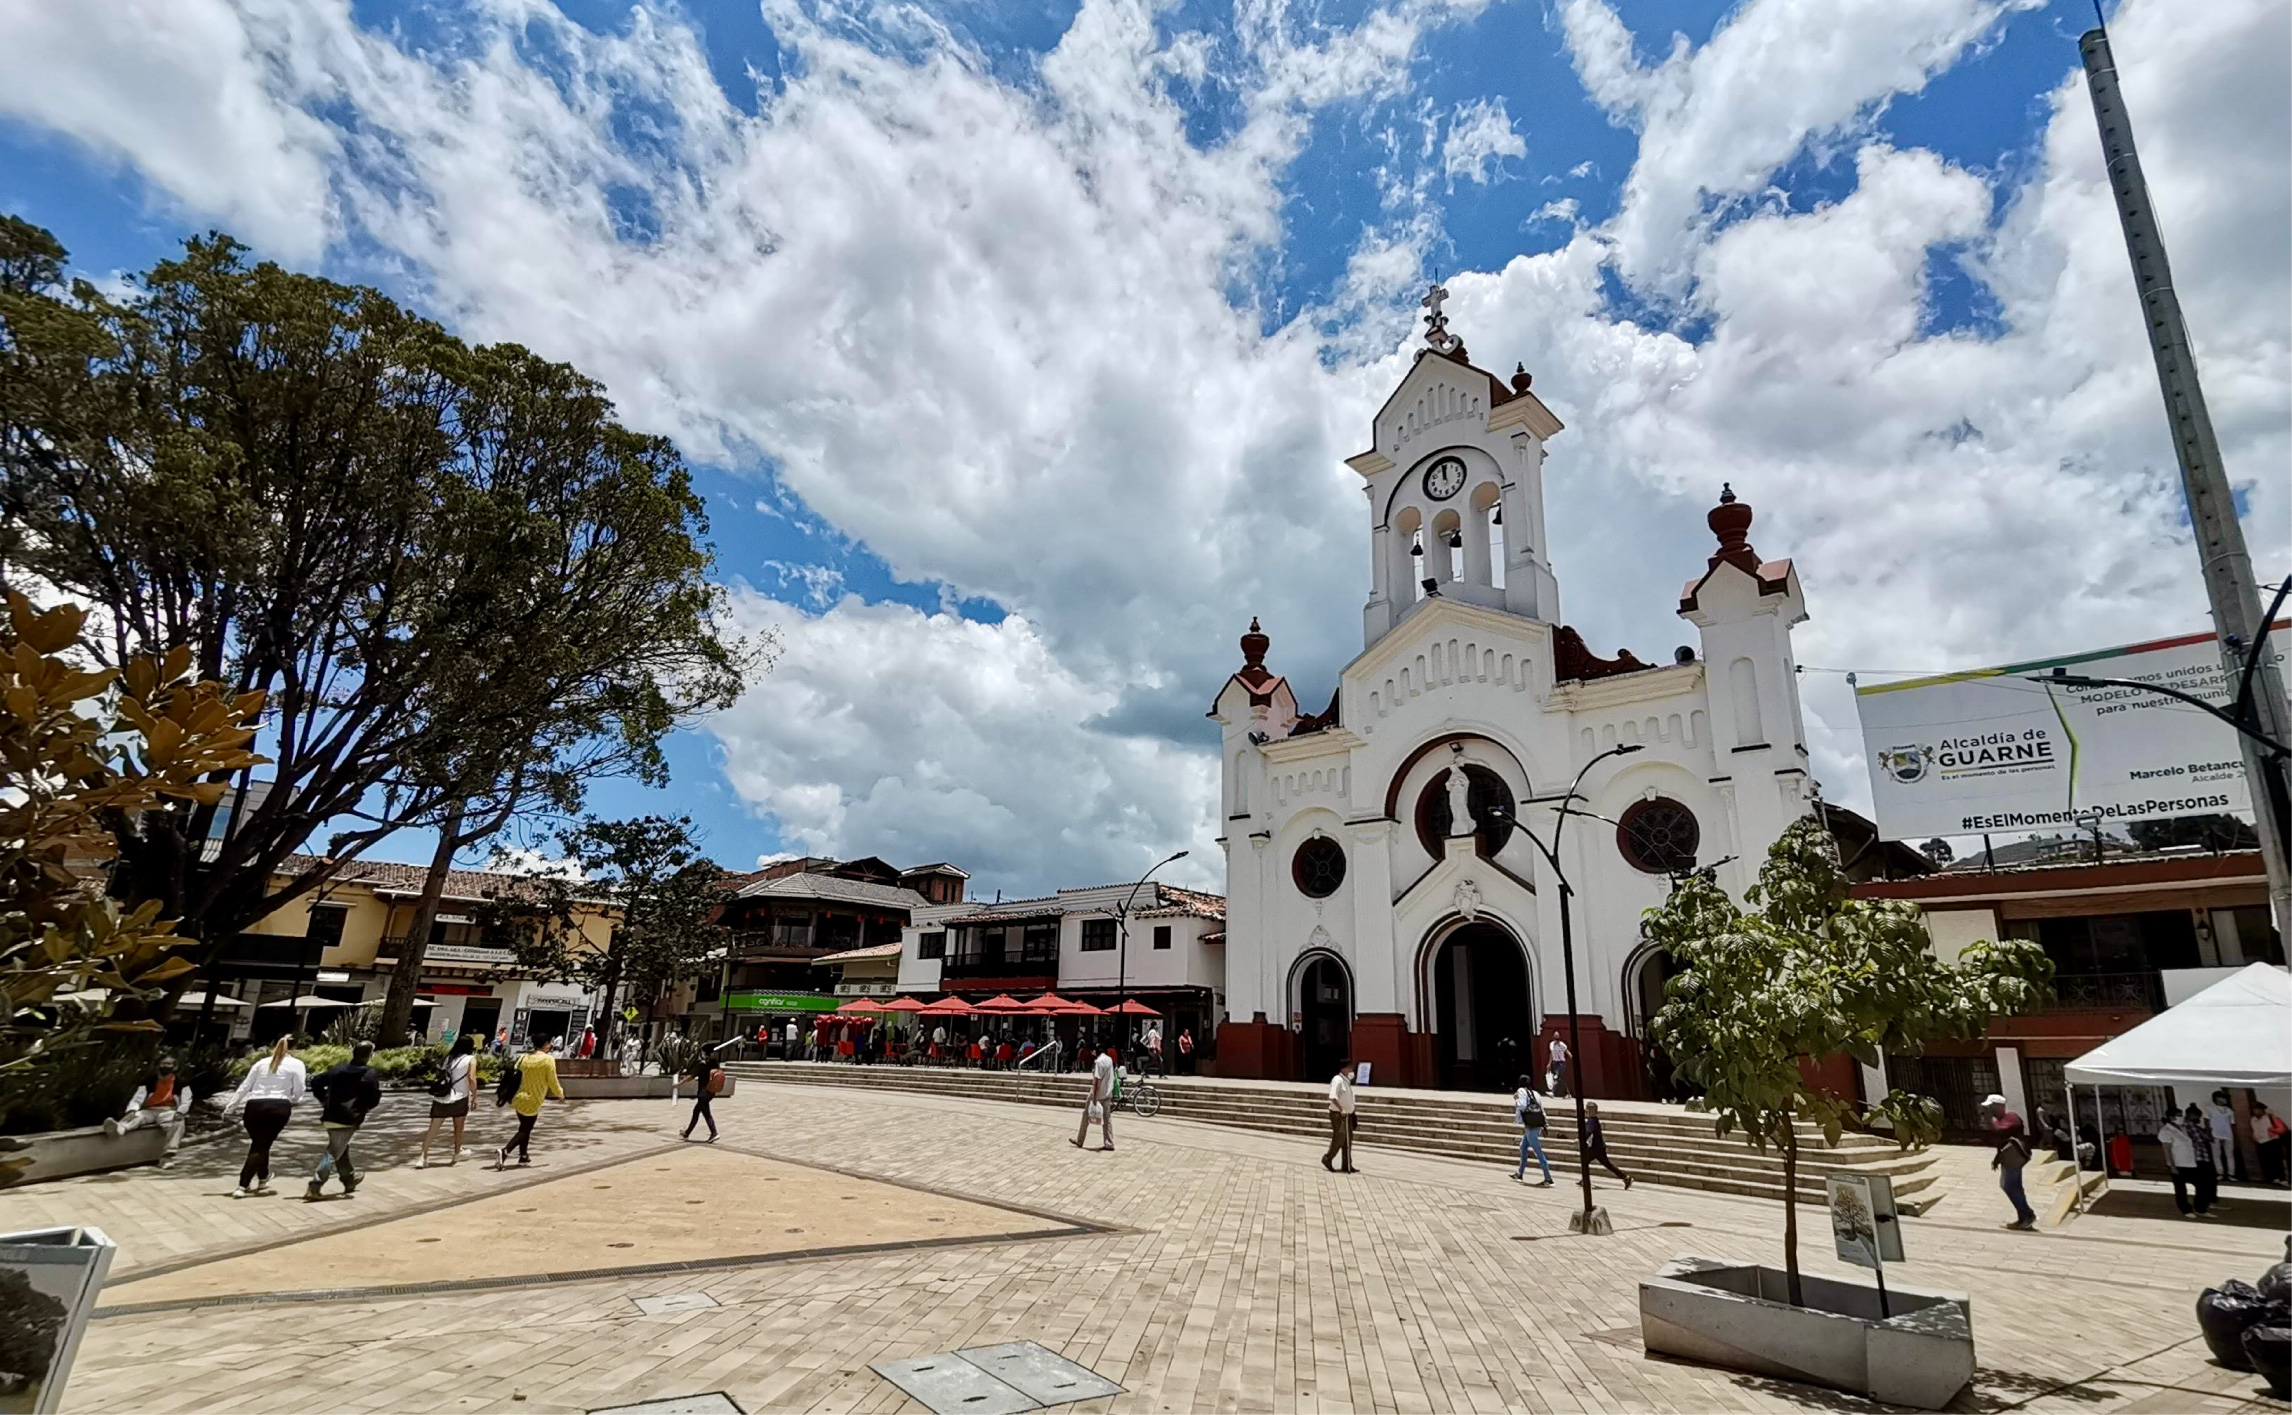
(444, 568)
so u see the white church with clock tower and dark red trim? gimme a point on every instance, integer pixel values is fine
(1383, 893)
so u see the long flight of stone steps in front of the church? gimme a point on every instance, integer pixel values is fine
(1670, 1148)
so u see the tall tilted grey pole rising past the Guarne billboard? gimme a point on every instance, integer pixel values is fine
(2213, 513)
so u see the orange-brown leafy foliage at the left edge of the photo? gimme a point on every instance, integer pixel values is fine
(74, 746)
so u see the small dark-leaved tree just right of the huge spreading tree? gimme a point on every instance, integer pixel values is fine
(652, 880)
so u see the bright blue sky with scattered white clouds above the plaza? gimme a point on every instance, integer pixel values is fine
(1019, 343)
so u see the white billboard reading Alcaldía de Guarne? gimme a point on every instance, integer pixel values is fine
(1993, 751)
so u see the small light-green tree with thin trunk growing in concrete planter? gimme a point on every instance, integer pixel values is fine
(1812, 974)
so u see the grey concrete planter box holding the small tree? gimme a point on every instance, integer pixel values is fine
(1736, 1315)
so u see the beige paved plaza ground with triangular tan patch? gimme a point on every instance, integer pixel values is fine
(1204, 1269)
